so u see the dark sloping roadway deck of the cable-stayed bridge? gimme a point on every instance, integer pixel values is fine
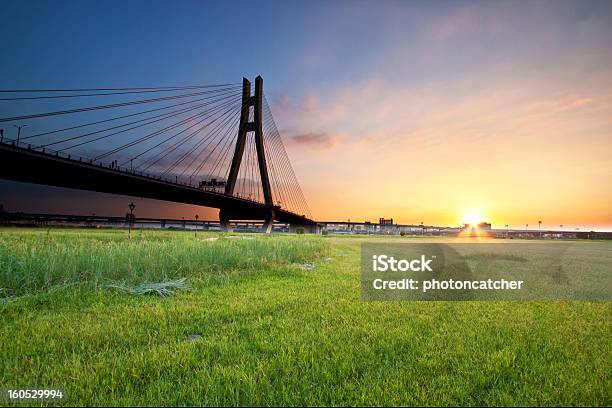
(26, 164)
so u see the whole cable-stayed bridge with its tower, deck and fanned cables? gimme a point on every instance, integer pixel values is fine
(211, 145)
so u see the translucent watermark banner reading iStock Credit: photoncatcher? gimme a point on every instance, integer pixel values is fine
(487, 271)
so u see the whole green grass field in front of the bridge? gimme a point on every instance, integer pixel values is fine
(274, 321)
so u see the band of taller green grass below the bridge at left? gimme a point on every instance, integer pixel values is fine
(37, 260)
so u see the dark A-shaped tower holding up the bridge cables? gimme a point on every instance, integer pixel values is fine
(244, 129)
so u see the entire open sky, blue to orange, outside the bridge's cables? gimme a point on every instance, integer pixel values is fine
(418, 81)
